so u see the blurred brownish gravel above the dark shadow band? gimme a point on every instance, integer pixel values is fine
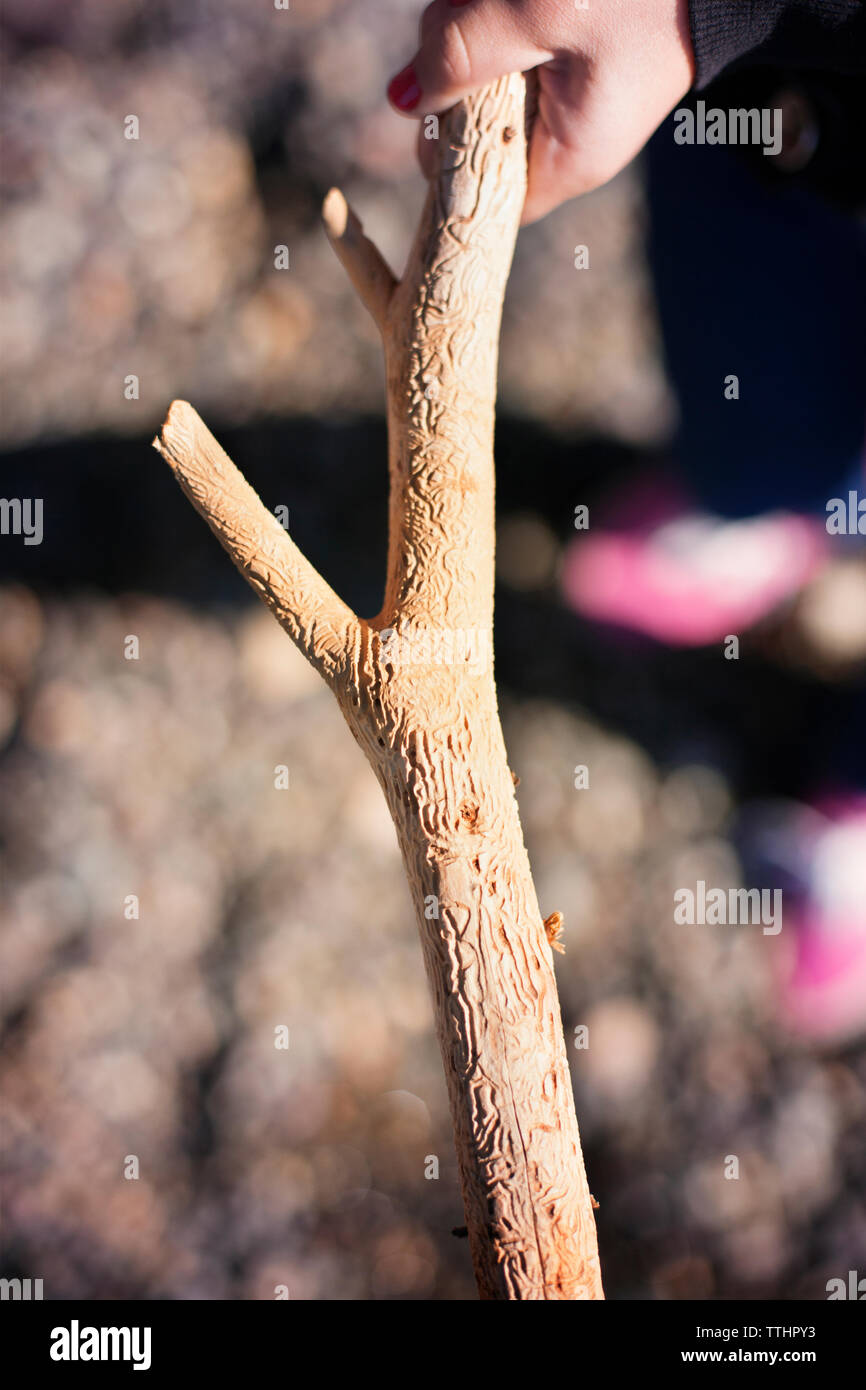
(156, 256)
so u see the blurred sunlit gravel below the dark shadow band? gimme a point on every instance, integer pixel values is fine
(152, 1036)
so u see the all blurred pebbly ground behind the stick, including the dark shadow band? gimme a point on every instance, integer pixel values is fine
(155, 1036)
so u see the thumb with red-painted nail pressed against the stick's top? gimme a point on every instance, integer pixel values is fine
(464, 48)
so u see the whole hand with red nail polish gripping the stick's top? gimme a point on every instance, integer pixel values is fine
(608, 77)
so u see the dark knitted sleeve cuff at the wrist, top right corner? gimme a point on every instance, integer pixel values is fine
(800, 34)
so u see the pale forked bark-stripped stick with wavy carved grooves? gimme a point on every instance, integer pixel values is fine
(416, 687)
